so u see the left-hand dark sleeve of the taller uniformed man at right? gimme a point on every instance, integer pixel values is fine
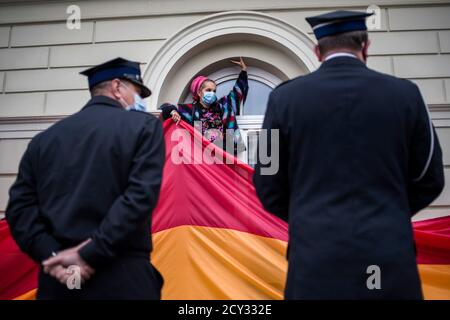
(273, 188)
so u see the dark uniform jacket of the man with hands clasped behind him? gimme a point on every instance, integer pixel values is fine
(95, 174)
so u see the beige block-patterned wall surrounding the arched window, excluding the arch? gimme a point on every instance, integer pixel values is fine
(40, 58)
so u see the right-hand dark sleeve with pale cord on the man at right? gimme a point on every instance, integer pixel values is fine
(426, 172)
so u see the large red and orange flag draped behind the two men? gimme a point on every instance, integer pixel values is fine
(213, 240)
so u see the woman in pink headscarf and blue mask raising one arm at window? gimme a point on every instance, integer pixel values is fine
(216, 116)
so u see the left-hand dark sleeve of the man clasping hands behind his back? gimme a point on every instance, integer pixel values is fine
(23, 215)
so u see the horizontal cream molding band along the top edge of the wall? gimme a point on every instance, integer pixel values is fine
(55, 11)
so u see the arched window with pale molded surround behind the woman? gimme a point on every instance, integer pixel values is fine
(274, 50)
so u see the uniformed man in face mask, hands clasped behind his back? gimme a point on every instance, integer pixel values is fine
(85, 192)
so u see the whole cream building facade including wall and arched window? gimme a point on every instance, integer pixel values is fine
(45, 44)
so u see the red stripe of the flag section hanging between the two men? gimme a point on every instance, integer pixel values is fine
(217, 195)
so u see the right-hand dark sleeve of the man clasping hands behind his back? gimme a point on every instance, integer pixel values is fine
(134, 207)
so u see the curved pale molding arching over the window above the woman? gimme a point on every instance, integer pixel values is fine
(192, 39)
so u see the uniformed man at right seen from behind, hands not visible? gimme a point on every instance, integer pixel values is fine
(358, 156)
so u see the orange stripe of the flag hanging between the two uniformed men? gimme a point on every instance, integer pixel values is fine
(216, 263)
